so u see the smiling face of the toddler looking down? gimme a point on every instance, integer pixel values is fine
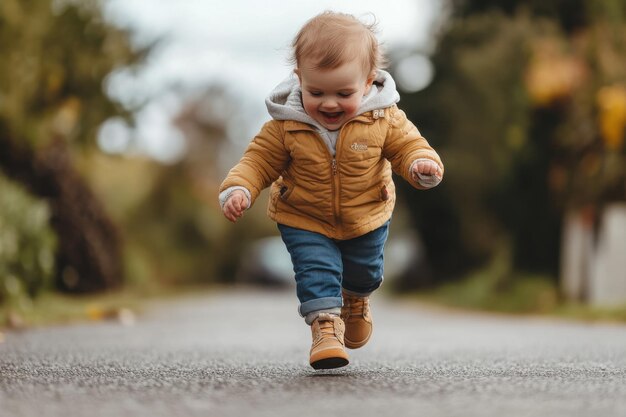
(333, 96)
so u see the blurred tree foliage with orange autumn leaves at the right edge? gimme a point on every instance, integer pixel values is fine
(582, 77)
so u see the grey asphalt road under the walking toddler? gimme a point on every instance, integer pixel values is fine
(245, 353)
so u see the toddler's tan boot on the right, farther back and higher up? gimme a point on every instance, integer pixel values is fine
(358, 320)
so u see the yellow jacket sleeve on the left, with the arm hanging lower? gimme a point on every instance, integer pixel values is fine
(262, 162)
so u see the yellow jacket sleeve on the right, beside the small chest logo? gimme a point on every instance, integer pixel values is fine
(404, 144)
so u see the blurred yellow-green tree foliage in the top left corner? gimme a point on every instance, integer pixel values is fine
(56, 55)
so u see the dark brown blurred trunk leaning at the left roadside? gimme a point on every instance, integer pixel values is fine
(89, 247)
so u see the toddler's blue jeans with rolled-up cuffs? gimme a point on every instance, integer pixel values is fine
(323, 265)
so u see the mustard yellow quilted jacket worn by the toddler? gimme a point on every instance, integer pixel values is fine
(341, 197)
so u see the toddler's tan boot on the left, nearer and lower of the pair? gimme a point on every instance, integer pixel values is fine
(327, 350)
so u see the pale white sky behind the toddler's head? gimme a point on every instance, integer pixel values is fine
(241, 44)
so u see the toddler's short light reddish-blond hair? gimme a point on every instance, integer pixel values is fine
(330, 39)
